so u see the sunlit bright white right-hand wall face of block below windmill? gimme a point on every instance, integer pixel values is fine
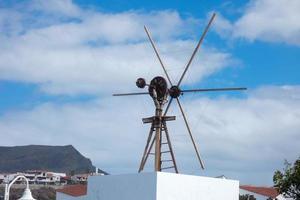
(186, 187)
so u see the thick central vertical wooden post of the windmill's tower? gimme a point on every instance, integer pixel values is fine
(158, 126)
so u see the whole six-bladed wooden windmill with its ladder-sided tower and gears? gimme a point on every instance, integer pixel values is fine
(164, 92)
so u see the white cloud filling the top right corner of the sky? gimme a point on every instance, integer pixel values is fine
(266, 20)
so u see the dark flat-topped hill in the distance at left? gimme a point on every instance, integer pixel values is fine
(65, 159)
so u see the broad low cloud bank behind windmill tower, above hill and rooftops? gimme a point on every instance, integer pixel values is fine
(236, 136)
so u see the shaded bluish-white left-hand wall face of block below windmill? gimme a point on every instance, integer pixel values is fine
(122, 187)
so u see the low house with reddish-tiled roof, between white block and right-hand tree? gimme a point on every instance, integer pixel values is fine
(261, 193)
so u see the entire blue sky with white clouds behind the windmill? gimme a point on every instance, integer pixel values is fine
(60, 61)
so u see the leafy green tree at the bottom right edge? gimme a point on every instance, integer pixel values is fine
(288, 182)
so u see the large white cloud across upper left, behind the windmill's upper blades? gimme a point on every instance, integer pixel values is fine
(93, 52)
